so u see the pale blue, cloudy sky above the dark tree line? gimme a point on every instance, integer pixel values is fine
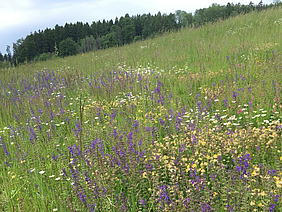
(19, 18)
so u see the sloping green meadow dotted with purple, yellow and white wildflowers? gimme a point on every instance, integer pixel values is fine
(189, 121)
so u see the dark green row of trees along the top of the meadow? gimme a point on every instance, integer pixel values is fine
(79, 37)
